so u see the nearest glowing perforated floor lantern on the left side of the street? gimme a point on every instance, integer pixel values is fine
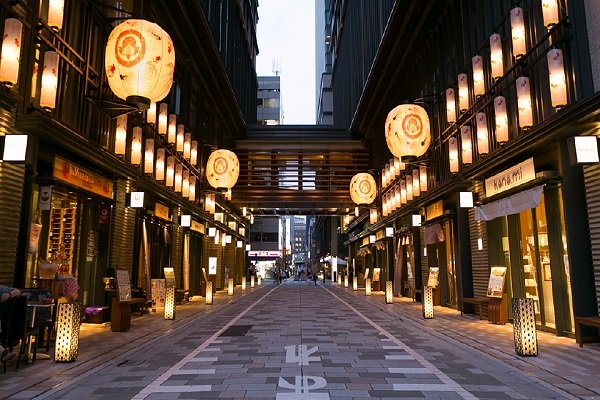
(68, 320)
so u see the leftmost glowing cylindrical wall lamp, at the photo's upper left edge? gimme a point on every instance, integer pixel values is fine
(11, 51)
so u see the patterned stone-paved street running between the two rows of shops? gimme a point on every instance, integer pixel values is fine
(301, 341)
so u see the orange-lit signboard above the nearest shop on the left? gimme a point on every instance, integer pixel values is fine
(81, 178)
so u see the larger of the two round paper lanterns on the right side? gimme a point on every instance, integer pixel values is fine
(407, 131)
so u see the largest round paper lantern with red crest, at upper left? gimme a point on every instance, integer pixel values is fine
(139, 62)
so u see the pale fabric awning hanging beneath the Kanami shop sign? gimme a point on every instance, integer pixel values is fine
(514, 204)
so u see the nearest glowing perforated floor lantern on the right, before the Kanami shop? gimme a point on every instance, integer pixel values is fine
(524, 331)
